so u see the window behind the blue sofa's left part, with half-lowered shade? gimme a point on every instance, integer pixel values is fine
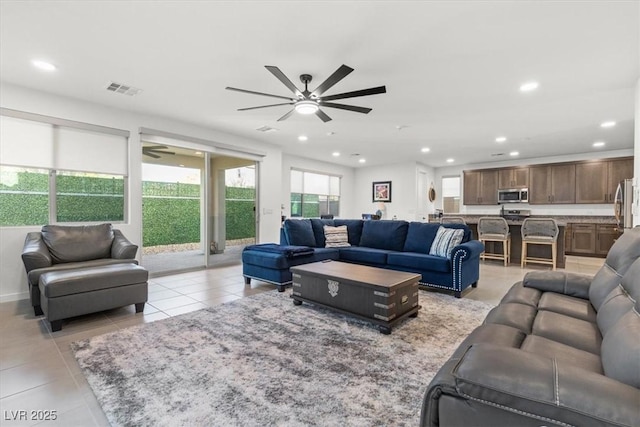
(314, 194)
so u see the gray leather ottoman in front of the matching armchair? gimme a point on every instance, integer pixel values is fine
(69, 293)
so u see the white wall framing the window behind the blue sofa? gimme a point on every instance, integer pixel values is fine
(347, 209)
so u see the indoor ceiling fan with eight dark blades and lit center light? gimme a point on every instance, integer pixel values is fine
(309, 102)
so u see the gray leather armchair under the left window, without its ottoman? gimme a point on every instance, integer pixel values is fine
(58, 248)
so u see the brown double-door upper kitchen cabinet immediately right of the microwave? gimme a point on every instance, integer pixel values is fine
(552, 184)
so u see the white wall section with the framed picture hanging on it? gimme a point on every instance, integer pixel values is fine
(406, 203)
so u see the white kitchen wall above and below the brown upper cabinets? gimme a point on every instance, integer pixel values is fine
(582, 209)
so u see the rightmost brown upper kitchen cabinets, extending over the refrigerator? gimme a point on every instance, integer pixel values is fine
(596, 182)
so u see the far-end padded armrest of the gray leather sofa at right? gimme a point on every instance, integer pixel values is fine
(572, 284)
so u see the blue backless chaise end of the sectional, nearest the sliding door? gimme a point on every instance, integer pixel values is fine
(270, 262)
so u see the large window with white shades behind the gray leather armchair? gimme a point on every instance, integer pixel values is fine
(55, 171)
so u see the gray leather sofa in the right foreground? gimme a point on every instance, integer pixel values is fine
(560, 349)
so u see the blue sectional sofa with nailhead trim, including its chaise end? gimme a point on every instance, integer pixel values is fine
(396, 245)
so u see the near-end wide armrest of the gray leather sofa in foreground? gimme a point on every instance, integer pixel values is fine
(543, 387)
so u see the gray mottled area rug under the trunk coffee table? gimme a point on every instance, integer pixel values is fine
(261, 361)
